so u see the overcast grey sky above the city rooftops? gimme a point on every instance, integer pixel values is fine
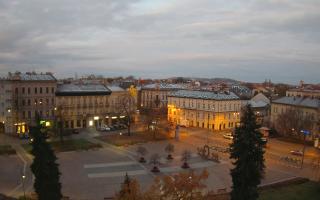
(242, 39)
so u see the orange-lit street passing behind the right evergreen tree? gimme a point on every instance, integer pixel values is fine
(274, 151)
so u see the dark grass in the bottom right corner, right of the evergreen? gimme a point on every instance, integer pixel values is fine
(307, 191)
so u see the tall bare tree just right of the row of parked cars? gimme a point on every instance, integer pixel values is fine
(127, 106)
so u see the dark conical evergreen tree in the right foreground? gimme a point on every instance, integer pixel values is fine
(247, 152)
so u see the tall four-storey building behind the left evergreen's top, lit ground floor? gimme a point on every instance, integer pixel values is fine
(32, 94)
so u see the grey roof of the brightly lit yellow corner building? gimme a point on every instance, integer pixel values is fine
(204, 95)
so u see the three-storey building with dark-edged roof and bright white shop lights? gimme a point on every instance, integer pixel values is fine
(82, 105)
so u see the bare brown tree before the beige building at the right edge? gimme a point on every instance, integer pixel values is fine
(292, 121)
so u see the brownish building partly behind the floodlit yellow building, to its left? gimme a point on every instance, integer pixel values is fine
(156, 95)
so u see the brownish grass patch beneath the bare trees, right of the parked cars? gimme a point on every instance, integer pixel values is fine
(135, 138)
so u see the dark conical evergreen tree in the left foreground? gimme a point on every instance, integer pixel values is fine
(44, 167)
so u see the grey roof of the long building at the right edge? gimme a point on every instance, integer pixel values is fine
(299, 101)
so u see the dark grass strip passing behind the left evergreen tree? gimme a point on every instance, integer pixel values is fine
(68, 145)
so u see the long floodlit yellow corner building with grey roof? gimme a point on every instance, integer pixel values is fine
(204, 109)
